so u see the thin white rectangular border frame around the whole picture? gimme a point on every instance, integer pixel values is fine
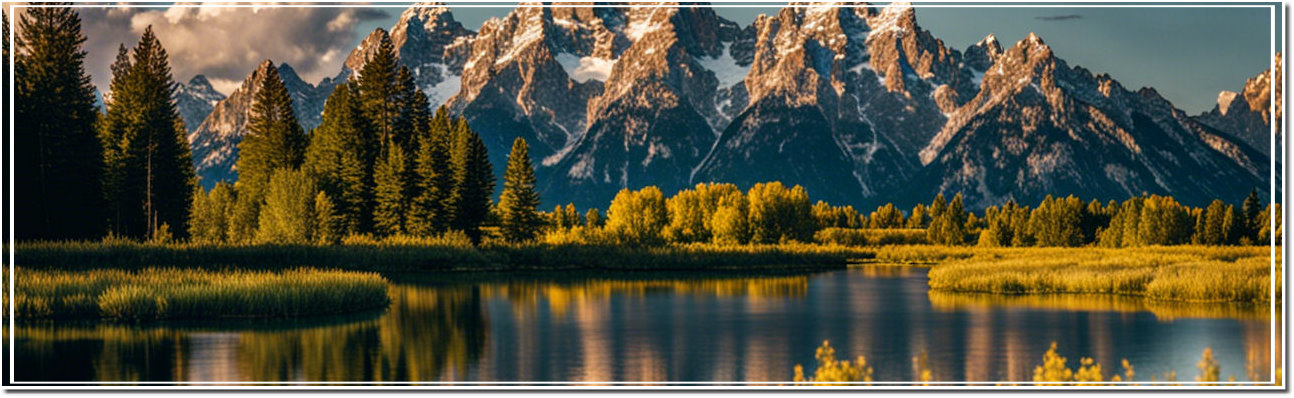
(11, 383)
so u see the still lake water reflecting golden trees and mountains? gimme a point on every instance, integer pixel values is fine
(636, 328)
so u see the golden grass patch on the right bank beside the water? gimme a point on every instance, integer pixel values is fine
(1235, 275)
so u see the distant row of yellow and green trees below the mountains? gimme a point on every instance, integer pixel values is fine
(774, 214)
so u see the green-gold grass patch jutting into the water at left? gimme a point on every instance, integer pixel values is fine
(193, 294)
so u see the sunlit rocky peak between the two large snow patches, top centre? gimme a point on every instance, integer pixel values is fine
(655, 116)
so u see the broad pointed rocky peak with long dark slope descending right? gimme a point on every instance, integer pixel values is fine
(1040, 127)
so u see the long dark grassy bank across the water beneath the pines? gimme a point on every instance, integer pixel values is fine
(435, 255)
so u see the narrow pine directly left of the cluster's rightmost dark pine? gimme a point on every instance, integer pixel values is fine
(435, 182)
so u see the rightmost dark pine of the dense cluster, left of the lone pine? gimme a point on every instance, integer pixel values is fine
(474, 182)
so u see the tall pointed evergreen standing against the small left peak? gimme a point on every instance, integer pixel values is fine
(274, 141)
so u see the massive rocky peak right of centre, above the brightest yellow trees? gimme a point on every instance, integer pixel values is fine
(842, 99)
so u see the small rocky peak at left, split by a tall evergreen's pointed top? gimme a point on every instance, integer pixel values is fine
(215, 140)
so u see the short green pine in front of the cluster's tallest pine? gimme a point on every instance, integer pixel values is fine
(393, 202)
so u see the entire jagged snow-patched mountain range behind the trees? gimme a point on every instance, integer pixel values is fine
(859, 104)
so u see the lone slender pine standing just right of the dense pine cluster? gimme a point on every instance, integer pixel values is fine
(521, 222)
